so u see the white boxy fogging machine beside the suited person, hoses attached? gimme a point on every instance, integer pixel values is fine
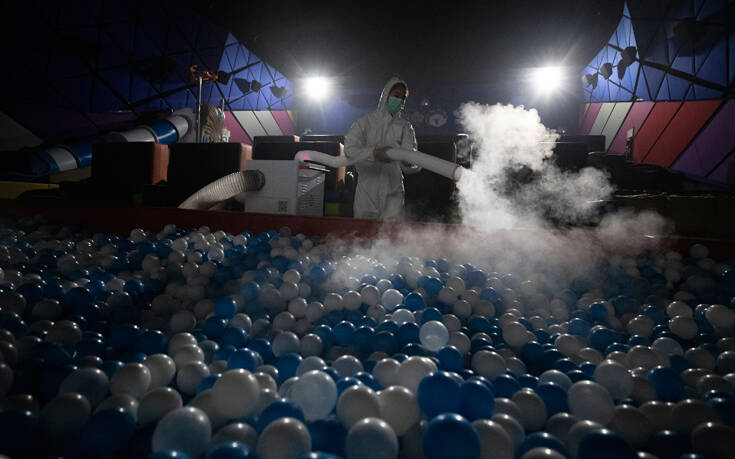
(291, 187)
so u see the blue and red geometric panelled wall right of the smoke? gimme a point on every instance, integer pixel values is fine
(665, 81)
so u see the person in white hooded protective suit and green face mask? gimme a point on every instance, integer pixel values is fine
(379, 193)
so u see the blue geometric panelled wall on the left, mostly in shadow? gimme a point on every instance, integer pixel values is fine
(81, 69)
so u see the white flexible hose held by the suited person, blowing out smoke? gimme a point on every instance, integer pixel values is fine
(428, 162)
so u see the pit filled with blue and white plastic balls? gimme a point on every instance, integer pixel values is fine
(200, 343)
